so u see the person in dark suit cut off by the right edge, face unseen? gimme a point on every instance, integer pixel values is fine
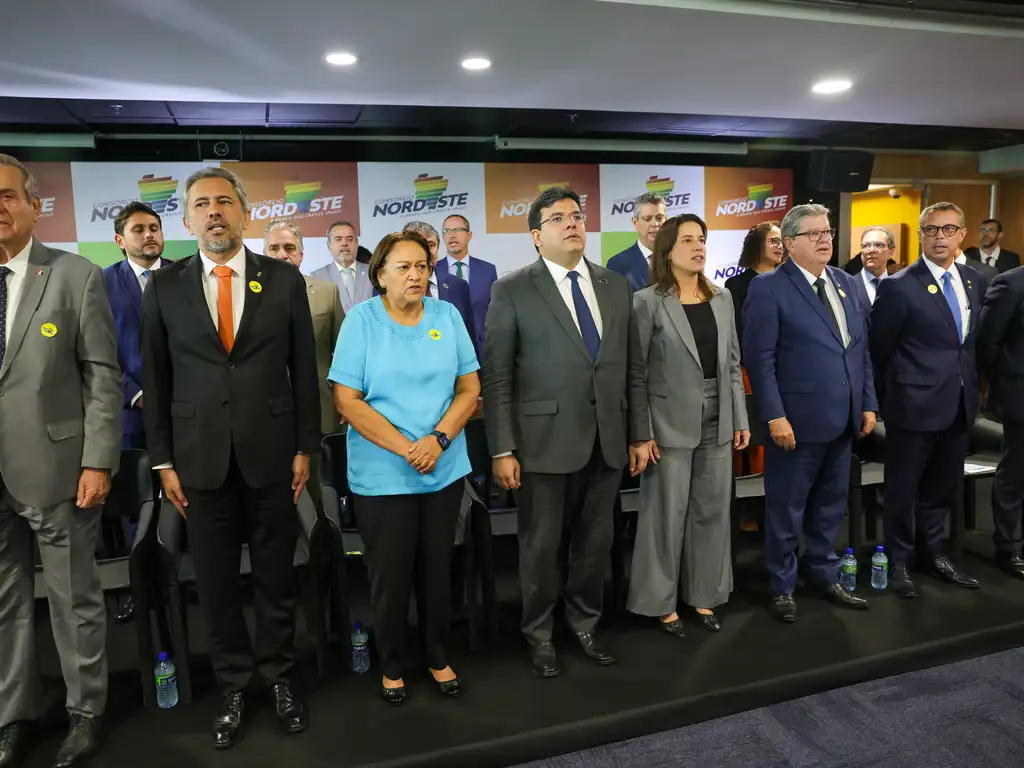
(1001, 353)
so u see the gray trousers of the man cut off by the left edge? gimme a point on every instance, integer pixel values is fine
(67, 539)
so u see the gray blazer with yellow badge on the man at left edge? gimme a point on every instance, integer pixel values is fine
(61, 392)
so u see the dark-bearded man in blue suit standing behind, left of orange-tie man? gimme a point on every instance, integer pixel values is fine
(140, 235)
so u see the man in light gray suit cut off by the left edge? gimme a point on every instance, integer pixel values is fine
(60, 444)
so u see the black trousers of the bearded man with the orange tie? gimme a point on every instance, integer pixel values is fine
(220, 523)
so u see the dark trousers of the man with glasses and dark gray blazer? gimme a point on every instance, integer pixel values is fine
(566, 531)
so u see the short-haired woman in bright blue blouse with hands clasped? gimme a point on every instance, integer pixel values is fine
(406, 380)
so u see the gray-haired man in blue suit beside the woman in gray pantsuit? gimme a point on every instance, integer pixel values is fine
(805, 344)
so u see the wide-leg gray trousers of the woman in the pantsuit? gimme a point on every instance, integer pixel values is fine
(684, 532)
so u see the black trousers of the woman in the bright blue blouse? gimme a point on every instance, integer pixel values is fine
(409, 539)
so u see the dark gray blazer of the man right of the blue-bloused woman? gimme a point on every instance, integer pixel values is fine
(545, 399)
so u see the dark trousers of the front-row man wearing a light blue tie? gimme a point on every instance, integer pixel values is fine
(923, 474)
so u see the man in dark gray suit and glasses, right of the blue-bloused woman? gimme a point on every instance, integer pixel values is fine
(566, 407)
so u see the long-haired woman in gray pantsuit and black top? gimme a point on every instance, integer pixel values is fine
(699, 417)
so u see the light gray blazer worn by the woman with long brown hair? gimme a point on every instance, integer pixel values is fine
(675, 378)
